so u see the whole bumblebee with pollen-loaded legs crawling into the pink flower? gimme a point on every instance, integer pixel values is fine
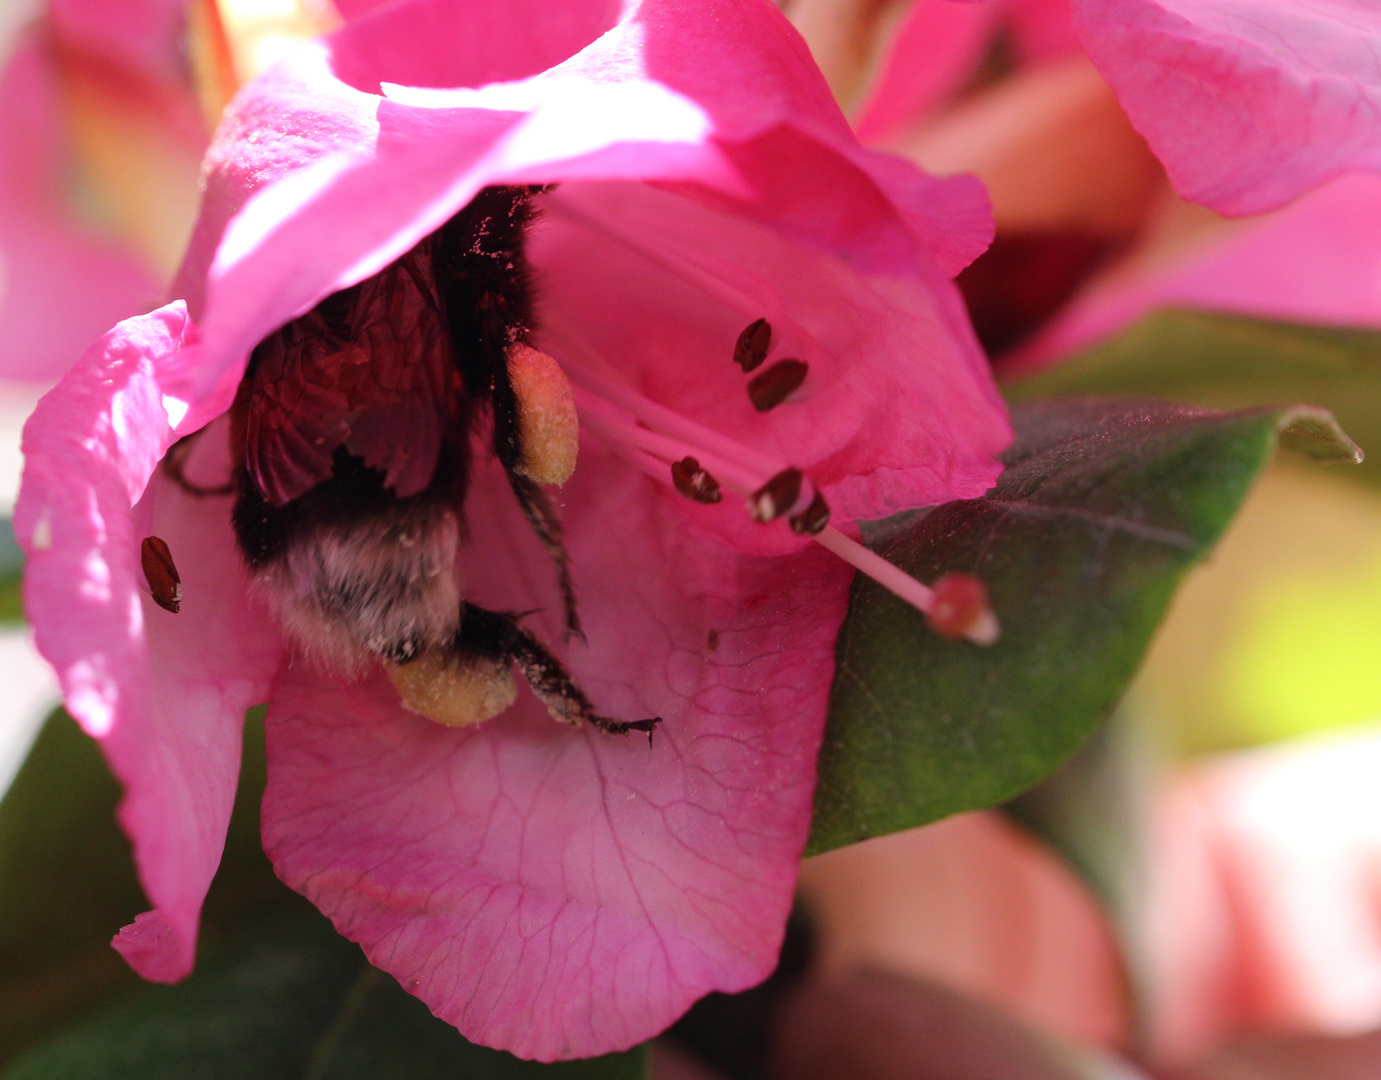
(353, 438)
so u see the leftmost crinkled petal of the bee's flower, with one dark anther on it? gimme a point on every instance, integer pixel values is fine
(165, 698)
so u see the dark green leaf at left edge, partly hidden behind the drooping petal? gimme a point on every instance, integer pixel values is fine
(68, 883)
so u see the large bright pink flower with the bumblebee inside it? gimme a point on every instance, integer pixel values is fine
(550, 891)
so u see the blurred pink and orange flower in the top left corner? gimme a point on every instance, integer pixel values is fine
(84, 86)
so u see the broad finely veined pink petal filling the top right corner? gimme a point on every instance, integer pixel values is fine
(1248, 103)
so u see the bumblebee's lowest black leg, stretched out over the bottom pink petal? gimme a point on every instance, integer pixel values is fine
(498, 636)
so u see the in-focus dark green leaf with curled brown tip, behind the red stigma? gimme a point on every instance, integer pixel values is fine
(1103, 509)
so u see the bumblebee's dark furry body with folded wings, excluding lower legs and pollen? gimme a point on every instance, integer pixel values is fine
(356, 427)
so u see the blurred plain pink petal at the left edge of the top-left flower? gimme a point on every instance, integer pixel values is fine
(61, 284)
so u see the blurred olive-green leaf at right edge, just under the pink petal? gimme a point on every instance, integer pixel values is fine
(1233, 363)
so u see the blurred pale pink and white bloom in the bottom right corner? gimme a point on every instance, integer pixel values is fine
(1264, 912)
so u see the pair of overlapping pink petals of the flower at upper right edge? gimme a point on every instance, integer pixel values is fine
(1262, 107)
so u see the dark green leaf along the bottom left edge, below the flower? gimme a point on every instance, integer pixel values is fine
(302, 1007)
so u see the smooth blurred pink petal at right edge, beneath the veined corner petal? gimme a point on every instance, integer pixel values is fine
(1313, 262)
